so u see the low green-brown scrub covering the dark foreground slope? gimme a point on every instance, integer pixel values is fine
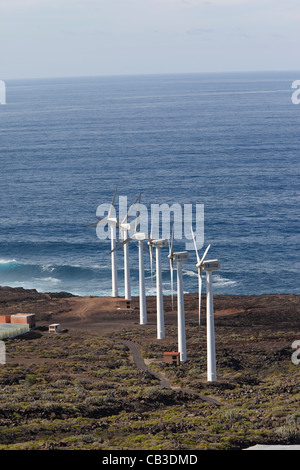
(79, 391)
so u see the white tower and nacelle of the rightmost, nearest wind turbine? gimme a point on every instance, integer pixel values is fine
(209, 267)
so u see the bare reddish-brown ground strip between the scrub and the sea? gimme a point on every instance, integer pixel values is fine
(103, 315)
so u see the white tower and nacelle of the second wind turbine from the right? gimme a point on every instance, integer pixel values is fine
(180, 257)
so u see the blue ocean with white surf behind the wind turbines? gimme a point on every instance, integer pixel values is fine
(227, 141)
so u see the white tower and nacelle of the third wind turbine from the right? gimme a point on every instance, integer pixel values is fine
(158, 244)
